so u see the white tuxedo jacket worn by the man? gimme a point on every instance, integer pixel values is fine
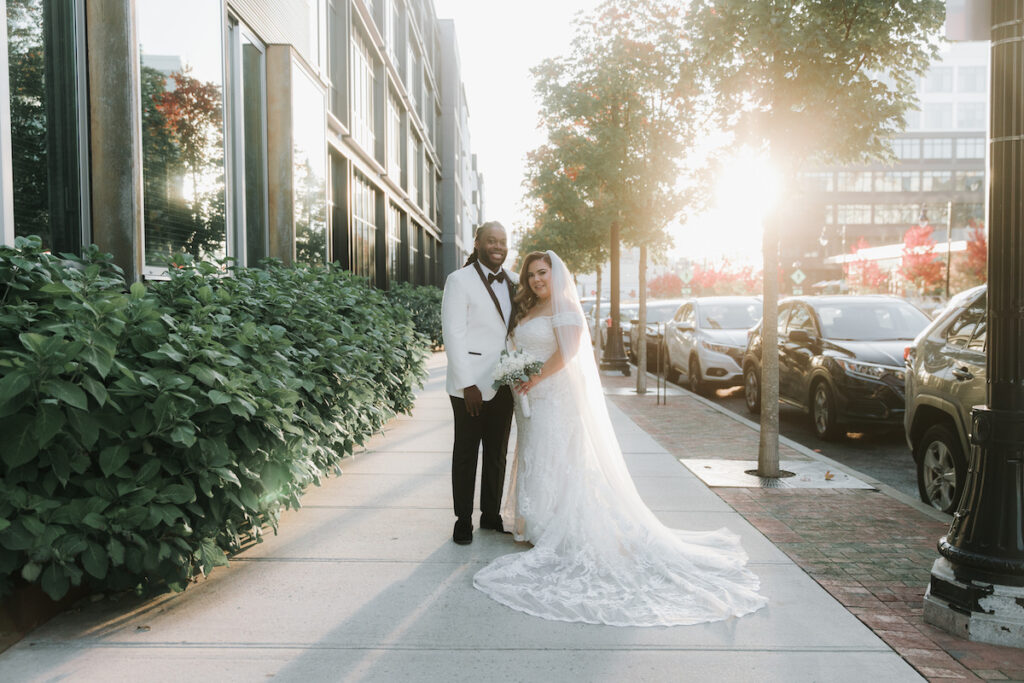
(476, 333)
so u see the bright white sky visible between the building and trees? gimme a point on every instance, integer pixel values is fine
(499, 44)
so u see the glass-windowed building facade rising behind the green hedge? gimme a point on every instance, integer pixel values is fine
(305, 131)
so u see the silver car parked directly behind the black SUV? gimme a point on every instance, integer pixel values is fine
(706, 340)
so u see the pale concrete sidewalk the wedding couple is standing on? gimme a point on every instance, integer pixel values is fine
(364, 583)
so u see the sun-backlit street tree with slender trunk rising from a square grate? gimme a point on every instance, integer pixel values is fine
(802, 80)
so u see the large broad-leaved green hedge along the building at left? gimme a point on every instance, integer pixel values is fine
(148, 431)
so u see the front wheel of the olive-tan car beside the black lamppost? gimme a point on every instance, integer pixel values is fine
(942, 468)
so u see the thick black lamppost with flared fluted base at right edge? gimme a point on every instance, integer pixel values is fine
(977, 586)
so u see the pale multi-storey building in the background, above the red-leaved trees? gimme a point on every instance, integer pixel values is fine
(941, 163)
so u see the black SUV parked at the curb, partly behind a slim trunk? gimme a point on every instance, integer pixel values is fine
(841, 361)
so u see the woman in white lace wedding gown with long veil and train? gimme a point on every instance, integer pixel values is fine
(600, 556)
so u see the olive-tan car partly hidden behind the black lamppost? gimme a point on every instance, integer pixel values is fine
(946, 379)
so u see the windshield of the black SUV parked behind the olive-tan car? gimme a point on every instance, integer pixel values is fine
(871, 321)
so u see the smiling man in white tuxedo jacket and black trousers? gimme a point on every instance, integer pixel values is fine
(477, 317)
